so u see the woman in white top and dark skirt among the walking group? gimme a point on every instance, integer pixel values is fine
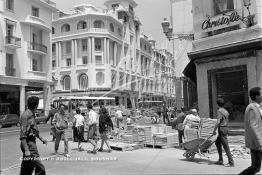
(79, 124)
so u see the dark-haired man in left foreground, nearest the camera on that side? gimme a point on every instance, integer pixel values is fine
(28, 134)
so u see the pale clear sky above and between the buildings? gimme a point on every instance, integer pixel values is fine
(150, 12)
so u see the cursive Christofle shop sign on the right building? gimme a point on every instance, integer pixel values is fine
(225, 19)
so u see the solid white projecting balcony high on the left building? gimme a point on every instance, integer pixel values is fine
(37, 22)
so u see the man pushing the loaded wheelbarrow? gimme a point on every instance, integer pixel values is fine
(222, 126)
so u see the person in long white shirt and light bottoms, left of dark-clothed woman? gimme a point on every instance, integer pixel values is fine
(92, 127)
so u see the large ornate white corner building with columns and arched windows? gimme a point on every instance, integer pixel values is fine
(102, 52)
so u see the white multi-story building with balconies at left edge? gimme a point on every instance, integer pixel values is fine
(25, 52)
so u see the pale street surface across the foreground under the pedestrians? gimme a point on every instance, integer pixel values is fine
(142, 161)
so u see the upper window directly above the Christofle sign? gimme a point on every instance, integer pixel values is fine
(223, 6)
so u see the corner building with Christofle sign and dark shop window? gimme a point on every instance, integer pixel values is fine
(227, 54)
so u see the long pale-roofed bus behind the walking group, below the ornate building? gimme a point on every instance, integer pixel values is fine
(73, 102)
